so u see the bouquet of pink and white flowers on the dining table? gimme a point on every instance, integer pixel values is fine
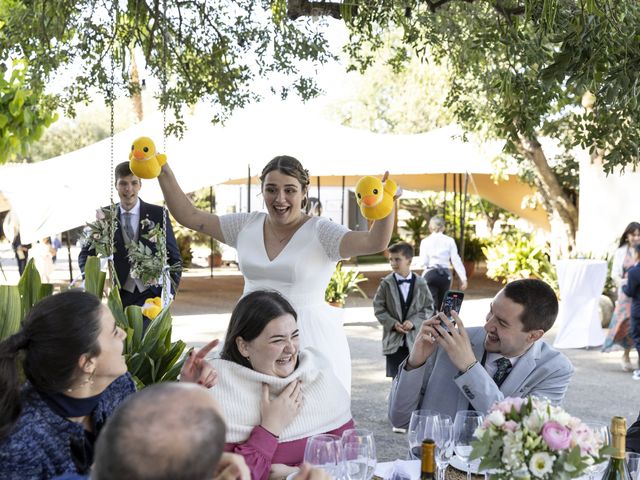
(531, 438)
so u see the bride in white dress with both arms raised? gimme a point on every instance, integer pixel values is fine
(287, 250)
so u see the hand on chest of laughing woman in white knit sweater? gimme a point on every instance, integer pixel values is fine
(276, 414)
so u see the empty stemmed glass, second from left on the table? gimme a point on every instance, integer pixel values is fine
(359, 449)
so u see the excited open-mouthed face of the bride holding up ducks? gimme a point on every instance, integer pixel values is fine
(283, 196)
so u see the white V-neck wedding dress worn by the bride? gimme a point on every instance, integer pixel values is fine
(300, 272)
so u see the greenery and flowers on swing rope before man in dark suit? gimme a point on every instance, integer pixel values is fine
(147, 266)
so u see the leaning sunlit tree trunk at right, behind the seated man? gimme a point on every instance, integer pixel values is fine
(563, 214)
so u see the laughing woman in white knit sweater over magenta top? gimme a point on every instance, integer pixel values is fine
(274, 396)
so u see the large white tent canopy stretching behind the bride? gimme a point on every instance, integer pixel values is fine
(62, 193)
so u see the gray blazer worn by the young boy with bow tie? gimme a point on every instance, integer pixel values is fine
(387, 308)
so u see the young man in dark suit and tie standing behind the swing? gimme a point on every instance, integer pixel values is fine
(131, 211)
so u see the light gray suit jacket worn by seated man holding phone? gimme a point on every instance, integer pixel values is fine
(540, 371)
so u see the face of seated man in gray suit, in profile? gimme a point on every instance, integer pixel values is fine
(504, 329)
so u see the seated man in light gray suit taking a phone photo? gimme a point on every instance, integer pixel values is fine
(472, 368)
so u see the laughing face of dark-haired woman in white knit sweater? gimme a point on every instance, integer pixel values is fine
(275, 351)
